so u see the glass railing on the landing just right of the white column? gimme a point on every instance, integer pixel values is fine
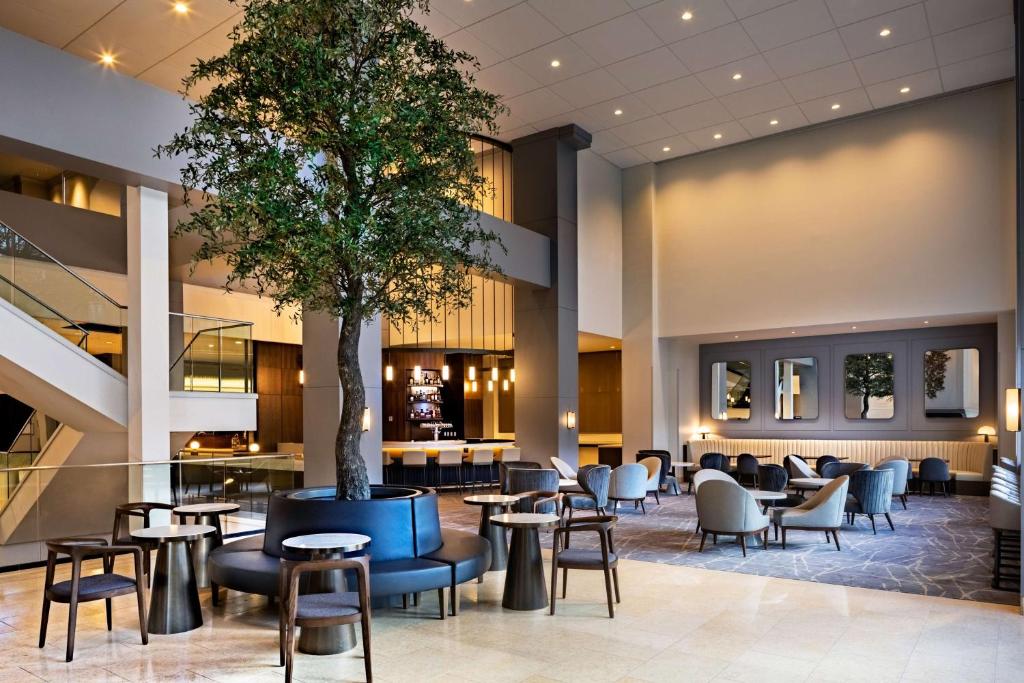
(211, 355)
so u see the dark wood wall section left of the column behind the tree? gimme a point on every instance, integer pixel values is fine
(279, 410)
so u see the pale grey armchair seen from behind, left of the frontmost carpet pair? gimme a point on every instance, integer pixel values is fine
(727, 508)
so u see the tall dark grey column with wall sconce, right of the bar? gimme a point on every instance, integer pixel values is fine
(547, 319)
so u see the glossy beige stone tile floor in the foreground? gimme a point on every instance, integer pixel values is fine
(675, 624)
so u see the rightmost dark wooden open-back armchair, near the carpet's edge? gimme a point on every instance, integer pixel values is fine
(578, 559)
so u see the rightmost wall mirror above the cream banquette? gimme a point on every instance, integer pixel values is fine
(953, 383)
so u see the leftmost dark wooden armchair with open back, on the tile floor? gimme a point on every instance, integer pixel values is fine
(91, 587)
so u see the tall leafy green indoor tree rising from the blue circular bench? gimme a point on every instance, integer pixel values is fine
(332, 156)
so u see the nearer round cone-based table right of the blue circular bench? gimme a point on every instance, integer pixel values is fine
(525, 585)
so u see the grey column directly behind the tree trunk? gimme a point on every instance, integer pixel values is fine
(322, 398)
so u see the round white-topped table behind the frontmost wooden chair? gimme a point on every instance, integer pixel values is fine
(327, 639)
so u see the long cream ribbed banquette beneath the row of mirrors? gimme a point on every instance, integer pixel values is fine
(969, 461)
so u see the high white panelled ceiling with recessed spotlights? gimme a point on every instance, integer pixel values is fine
(672, 79)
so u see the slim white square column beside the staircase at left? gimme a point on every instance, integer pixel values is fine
(149, 434)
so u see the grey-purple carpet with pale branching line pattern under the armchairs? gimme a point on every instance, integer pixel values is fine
(942, 547)
